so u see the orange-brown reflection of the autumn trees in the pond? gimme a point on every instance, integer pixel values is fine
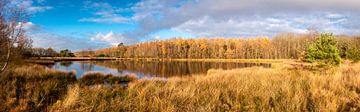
(171, 68)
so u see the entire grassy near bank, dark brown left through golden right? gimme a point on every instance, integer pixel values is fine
(248, 89)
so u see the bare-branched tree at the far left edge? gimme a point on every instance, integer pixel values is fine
(12, 20)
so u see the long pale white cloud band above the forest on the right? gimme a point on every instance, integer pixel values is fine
(210, 27)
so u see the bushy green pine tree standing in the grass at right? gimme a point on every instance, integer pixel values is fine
(323, 51)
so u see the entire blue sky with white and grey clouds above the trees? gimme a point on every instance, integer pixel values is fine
(93, 24)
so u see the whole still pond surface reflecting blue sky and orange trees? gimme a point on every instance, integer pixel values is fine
(150, 69)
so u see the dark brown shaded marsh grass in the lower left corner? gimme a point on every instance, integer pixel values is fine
(32, 88)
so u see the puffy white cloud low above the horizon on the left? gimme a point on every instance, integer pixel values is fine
(59, 42)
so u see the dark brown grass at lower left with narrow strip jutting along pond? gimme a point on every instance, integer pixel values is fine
(35, 88)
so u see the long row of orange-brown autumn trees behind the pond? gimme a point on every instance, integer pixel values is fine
(281, 46)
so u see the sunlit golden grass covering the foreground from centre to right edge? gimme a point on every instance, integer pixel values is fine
(247, 89)
